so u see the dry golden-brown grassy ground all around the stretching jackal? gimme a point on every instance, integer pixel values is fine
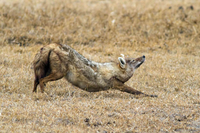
(167, 32)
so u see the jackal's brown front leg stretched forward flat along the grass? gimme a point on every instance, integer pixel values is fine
(124, 88)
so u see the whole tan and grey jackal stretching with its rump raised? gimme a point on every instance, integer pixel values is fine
(56, 61)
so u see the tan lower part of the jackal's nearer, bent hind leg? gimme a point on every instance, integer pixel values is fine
(50, 77)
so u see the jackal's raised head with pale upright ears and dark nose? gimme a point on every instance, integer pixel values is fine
(127, 67)
